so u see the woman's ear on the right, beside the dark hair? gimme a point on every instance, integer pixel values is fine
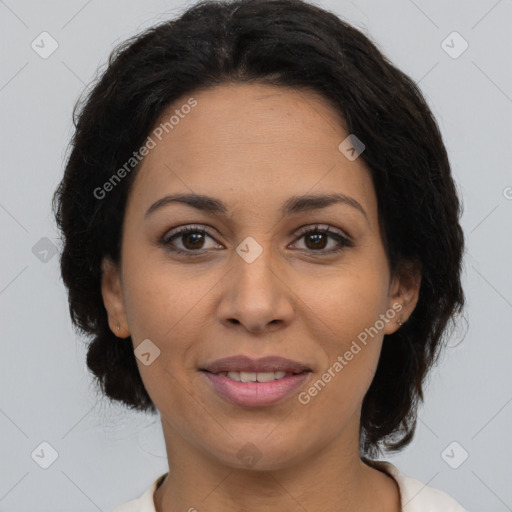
(404, 291)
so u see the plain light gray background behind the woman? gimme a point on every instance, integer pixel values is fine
(107, 455)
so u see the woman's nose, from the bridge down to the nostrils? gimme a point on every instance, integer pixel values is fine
(256, 295)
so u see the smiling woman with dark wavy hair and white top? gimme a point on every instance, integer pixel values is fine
(262, 239)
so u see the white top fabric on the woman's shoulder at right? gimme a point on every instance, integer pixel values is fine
(418, 497)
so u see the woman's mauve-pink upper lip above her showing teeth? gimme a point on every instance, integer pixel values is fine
(243, 363)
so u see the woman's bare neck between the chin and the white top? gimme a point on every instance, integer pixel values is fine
(332, 480)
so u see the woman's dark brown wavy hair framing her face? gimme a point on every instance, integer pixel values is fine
(287, 43)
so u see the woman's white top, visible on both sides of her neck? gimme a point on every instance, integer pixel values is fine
(415, 496)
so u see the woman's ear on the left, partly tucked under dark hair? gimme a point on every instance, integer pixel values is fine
(113, 298)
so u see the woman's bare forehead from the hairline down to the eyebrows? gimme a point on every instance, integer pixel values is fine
(252, 145)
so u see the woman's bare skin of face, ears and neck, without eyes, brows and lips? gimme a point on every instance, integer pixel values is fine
(254, 146)
